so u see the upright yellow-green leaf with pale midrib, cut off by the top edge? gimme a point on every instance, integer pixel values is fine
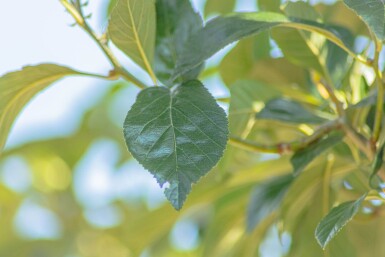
(132, 29)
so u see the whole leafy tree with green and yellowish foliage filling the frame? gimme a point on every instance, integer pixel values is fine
(298, 157)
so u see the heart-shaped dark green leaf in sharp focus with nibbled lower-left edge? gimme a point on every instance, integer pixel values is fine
(177, 135)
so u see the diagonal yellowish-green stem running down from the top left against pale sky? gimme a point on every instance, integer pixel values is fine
(77, 13)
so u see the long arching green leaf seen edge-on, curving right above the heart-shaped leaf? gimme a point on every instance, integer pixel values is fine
(224, 30)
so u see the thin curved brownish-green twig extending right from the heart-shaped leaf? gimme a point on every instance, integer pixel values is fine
(287, 147)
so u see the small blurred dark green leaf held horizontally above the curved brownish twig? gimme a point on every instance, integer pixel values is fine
(288, 111)
